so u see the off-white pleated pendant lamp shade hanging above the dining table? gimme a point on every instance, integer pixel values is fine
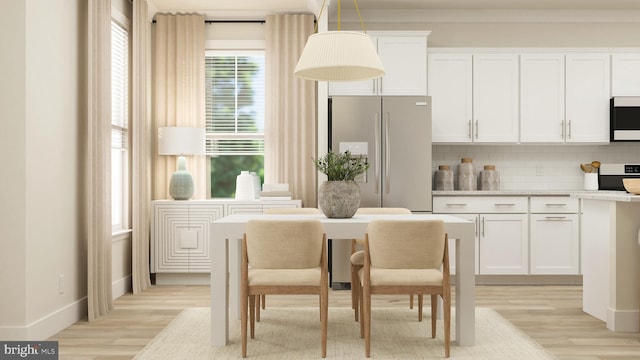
(339, 56)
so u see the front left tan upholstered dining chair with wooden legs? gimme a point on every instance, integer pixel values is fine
(283, 257)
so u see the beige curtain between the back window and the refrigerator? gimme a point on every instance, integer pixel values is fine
(291, 116)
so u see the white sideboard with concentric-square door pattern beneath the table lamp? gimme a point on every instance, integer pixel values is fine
(180, 252)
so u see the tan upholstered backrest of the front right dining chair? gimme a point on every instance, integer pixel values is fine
(406, 244)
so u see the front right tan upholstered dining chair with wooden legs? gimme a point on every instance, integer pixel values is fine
(406, 257)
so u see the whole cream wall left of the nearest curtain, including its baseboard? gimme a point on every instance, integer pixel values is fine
(45, 202)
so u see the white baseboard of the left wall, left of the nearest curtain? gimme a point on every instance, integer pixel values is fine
(48, 325)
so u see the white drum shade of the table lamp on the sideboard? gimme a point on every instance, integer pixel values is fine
(181, 141)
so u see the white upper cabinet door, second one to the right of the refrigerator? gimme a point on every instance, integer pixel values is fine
(495, 97)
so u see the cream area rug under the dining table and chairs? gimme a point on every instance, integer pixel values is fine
(294, 333)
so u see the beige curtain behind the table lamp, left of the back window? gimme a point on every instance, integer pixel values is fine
(178, 93)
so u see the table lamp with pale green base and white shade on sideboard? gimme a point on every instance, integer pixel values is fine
(181, 141)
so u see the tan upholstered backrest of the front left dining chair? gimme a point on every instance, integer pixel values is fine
(284, 244)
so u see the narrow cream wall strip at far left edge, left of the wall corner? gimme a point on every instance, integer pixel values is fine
(12, 180)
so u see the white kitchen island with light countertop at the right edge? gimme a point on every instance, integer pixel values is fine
(610, 257)
